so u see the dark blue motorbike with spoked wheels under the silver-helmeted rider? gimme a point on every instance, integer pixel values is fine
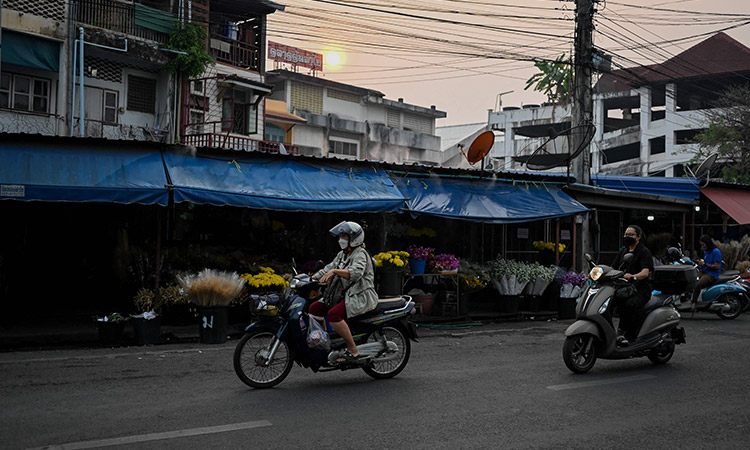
(264, 356)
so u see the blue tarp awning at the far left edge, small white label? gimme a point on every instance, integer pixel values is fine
(76, 174)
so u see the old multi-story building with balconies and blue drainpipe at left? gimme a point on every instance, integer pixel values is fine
(106, 60)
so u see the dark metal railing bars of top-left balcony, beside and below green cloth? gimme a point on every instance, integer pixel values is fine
(114, 15)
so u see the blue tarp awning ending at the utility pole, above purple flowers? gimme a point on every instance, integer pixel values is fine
(486, 201)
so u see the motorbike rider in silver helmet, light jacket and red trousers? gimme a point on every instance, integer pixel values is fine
(354, 267)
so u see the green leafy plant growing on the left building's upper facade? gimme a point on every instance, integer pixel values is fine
(191, 39)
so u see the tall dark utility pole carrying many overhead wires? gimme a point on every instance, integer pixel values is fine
(583, 108)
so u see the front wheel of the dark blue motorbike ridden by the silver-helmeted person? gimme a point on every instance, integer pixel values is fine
(251, 357)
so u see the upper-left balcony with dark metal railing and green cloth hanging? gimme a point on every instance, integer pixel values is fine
(124, 18)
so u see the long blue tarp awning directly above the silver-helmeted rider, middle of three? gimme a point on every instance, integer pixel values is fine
(260, 181)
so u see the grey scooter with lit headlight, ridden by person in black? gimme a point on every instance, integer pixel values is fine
(593, 335)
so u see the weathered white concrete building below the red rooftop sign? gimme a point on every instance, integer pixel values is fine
(352, 122)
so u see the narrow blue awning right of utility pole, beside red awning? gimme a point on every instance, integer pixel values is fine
(686, 188)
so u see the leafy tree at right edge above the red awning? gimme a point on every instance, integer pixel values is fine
(728, 133)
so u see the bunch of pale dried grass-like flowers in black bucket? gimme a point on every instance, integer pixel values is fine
(212, 287)
